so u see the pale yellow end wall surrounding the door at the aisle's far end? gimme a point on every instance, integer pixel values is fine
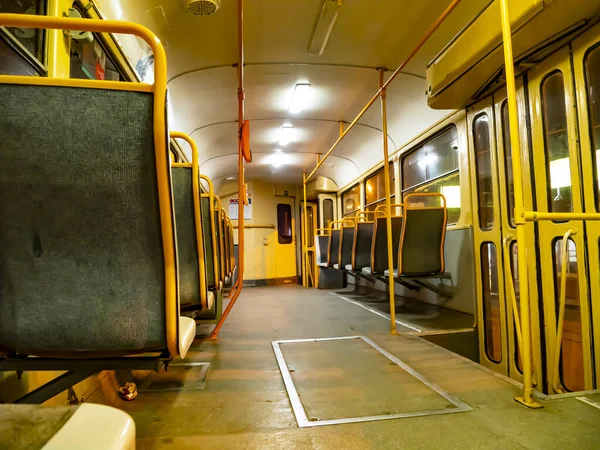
(260, 253)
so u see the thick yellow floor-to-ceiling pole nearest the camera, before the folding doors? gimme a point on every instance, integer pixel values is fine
(527, 398)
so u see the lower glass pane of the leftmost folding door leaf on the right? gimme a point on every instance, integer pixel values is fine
(491, 302)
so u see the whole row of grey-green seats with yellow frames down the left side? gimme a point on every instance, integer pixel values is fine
(108, 250)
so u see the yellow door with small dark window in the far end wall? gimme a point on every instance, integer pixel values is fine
(285, 248)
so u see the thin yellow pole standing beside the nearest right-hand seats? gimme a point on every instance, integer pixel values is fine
(388, 203)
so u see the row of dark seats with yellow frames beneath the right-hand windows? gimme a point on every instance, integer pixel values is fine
(358, 245)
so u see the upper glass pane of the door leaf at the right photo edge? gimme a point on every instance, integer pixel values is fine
(592, 71)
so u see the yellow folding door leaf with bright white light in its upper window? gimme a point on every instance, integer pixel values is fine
(558, 188)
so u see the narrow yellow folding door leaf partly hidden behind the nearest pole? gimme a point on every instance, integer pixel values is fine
(509, 232)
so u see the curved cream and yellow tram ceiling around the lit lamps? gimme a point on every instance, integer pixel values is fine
(368, 34)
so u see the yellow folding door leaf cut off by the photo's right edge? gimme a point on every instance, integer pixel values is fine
(586, 68)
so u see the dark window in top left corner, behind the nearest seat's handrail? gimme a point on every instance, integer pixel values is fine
(31, 38)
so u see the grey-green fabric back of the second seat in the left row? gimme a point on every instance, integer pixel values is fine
(183, 201)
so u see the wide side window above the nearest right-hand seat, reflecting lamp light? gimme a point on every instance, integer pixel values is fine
(433, 167)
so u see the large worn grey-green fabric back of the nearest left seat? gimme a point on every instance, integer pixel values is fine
(81, 260)
